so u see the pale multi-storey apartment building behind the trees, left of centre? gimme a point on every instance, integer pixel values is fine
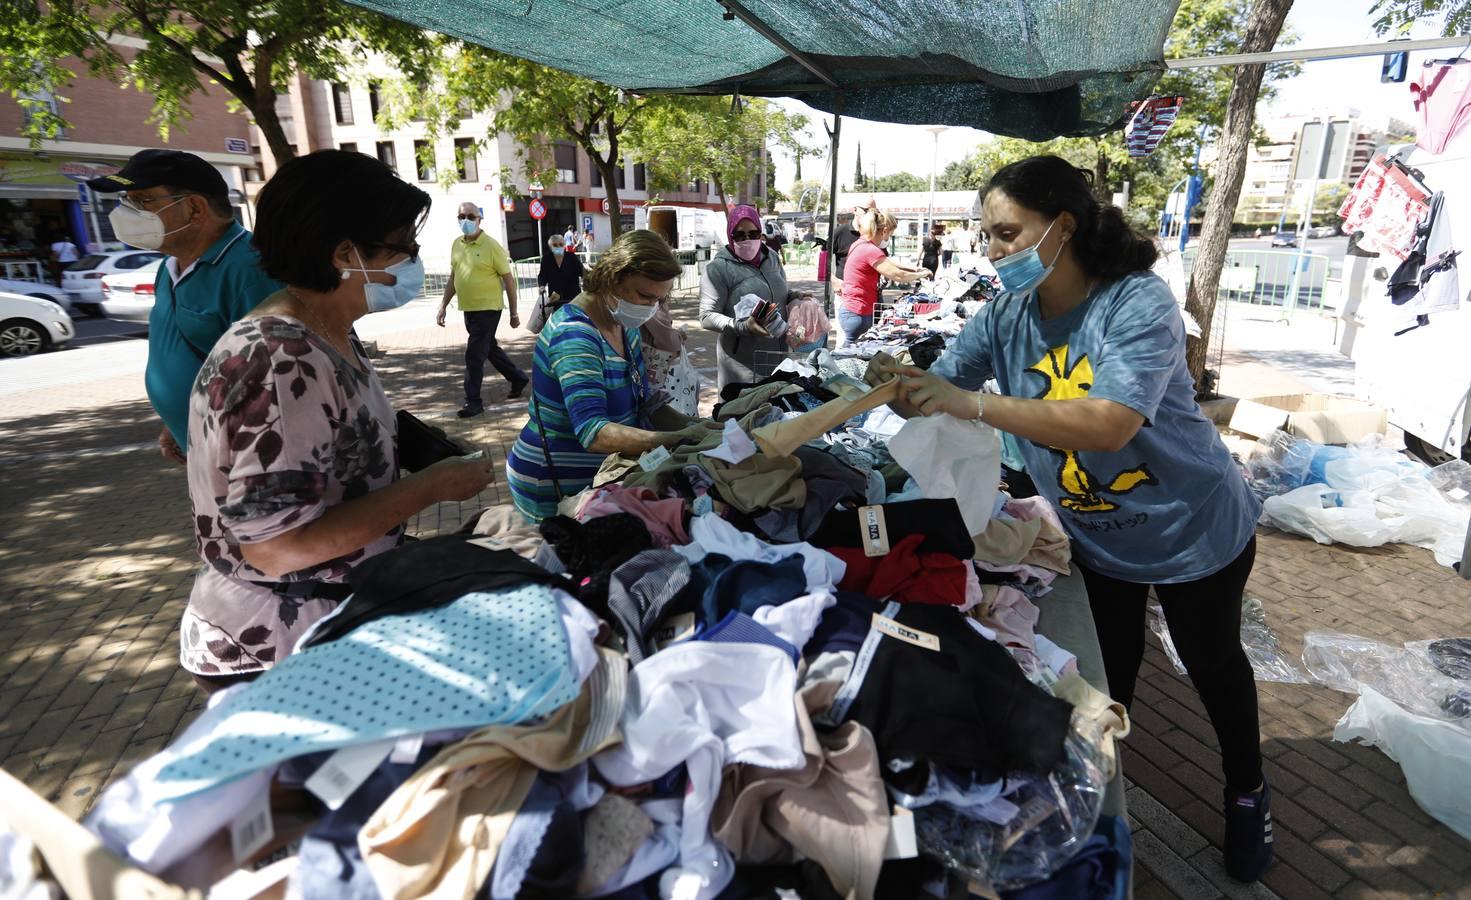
(318, 115)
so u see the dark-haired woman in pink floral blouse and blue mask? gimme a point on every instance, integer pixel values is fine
(293, 464)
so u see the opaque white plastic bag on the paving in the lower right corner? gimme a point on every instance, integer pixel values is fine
(1433, 755)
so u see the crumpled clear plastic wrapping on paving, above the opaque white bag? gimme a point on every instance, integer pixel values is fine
(1351, 664)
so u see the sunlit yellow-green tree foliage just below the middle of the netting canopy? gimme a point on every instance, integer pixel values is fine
(710, 137)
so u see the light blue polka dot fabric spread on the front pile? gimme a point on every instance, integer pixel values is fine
(485, 660)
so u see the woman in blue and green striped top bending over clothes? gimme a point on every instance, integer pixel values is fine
(589, 383)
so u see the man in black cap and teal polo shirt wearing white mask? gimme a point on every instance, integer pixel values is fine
(179, 204)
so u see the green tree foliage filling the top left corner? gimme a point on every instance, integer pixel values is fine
(251, 48)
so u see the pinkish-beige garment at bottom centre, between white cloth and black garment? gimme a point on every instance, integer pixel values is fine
(833, 810)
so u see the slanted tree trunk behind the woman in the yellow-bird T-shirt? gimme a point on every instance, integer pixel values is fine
(1263, 27)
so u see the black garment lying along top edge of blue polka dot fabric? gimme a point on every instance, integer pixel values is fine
(423, 576)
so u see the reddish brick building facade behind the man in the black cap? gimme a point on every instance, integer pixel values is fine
(42, 193)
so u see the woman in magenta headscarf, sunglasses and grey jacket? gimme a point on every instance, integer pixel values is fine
(744, 267)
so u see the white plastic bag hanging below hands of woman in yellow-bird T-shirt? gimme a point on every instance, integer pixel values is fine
(952, 458)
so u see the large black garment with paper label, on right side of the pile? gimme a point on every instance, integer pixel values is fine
(945, 695)
